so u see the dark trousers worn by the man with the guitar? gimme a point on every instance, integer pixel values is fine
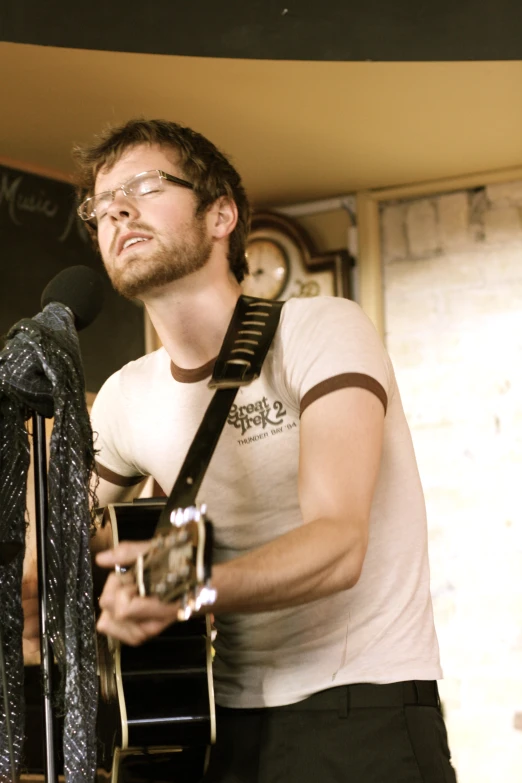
(350, 734)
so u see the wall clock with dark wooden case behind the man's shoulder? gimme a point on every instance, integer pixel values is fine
(285, 263)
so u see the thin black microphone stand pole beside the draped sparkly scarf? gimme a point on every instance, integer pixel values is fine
(42, 517)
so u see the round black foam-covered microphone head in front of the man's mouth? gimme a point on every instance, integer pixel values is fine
(80, 289)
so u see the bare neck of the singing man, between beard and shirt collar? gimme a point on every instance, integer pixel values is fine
(191, 317)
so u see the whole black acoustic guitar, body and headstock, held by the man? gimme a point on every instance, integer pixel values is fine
(156, 714)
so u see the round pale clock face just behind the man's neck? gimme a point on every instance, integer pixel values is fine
(269, 267)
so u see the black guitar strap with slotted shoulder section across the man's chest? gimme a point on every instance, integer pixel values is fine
(248, 338)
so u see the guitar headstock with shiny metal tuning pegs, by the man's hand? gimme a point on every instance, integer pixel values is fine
(177, 566)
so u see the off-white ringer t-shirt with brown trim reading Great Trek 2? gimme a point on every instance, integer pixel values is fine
(379, 631)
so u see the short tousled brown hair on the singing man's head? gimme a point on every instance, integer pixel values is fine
(200, 161)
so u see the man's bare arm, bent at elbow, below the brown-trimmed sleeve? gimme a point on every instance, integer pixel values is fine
(341, 440)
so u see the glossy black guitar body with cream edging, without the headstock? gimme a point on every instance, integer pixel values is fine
(156, 718)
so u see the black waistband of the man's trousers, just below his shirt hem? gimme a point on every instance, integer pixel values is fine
(421, 693)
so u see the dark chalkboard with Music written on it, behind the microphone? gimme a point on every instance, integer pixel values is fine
(40, 235)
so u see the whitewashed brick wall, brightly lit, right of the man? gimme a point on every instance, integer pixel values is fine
(453, 309)
